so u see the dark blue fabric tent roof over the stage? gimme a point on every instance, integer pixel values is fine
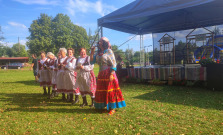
(156, 16)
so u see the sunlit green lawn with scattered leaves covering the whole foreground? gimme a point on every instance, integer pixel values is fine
(150, 110)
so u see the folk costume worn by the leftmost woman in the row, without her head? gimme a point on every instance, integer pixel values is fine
(44, 75)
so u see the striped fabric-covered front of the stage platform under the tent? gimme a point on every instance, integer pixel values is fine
(191, 72)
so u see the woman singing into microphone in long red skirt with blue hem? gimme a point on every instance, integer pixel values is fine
(108, 93)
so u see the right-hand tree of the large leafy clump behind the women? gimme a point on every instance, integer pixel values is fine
(66, 34)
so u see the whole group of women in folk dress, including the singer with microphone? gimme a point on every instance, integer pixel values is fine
(71, 76)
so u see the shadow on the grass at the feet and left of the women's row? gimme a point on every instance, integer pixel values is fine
(34, 102)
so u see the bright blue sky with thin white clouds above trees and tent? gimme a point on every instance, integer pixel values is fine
(17, 15)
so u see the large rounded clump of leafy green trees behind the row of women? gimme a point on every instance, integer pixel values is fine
(50, 34)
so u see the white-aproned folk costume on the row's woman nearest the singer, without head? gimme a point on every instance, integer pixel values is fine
(86, 80)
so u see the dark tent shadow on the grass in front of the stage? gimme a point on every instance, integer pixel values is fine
(185, 96)
